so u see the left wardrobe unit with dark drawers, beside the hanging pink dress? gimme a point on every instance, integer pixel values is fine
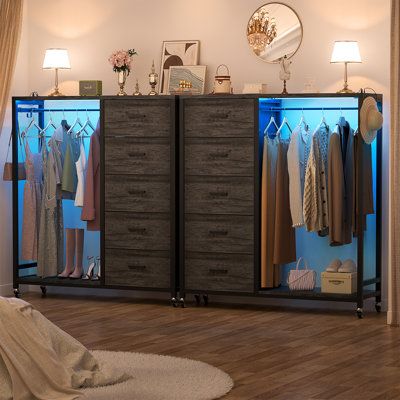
(135, 237)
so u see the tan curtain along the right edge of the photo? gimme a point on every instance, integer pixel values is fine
(394, 299)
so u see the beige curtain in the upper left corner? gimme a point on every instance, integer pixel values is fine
(10, 30)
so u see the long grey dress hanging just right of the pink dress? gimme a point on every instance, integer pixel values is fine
(51, 233)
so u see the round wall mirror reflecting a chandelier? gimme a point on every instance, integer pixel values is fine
(274, 31)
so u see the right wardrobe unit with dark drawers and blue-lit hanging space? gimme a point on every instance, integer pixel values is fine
(221, 150)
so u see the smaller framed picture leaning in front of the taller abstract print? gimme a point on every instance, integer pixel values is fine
(194, 75)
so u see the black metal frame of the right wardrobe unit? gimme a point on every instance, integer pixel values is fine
(361, 293)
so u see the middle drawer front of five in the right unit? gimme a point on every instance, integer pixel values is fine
(219, 195)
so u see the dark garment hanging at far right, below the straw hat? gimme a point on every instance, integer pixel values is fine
(368, 197)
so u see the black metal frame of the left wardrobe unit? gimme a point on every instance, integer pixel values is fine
(53, 281)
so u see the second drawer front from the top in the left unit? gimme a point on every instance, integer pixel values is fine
(137, 156)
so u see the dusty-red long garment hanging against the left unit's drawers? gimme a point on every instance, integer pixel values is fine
(91, 198)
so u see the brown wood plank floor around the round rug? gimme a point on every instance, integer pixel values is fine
(271, 353)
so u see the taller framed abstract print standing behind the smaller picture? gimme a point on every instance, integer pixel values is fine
(177, 53)
